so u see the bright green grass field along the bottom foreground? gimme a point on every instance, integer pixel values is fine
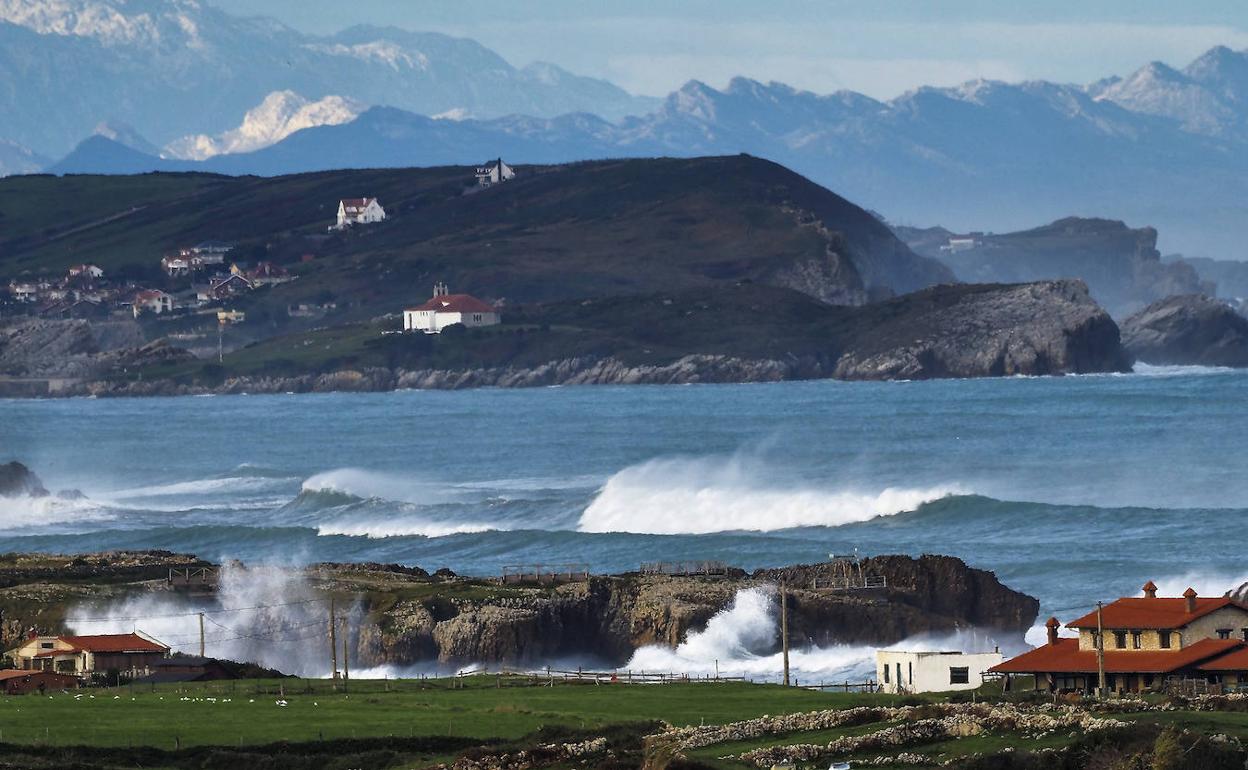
(417, 723)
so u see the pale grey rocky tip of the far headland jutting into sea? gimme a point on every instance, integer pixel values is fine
(1051, 328)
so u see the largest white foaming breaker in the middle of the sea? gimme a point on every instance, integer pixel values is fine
(697, 496)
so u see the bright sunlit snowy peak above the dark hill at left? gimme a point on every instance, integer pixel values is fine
(281, 114)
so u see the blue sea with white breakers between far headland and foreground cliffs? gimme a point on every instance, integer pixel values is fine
(1071, 490)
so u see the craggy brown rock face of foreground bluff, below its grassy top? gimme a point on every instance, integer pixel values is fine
(611, 617)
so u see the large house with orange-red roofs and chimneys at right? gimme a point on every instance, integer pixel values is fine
(1144, 642)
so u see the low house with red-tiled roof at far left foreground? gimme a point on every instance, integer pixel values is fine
(129, 655)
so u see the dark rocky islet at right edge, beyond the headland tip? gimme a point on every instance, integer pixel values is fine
(1189, 330)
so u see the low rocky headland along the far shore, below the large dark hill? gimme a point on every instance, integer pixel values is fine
(739, 334)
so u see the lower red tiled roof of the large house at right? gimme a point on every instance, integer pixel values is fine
(1068, 658)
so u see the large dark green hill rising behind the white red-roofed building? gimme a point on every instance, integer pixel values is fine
(558, 233)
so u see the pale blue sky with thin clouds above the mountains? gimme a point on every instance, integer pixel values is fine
(880, 48)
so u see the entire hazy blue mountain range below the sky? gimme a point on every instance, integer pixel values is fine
(1163, 148)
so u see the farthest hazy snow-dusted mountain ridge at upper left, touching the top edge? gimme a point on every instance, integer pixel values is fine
(183, 68)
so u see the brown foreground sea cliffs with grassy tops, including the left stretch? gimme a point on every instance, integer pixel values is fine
(404, 617)
